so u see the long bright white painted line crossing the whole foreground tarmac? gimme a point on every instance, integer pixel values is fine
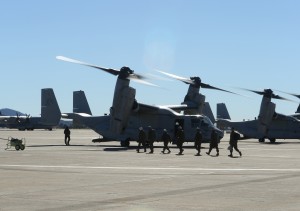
(153, 168)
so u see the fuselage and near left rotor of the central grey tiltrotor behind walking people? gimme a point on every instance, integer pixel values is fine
(127, 115)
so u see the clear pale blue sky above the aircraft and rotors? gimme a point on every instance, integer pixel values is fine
(250, 44)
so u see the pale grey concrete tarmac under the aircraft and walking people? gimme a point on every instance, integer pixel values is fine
(48, 175)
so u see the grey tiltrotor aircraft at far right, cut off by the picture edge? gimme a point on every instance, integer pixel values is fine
(269, 124)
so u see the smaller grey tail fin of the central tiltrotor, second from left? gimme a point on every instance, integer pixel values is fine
(80, 103)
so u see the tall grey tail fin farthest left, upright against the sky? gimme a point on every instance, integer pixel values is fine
(50, 112)
